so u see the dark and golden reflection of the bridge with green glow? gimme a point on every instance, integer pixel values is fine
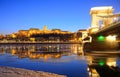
(103, 66)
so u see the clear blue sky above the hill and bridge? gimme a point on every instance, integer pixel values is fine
(70, 15)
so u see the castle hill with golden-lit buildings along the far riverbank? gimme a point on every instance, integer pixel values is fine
(35, 35)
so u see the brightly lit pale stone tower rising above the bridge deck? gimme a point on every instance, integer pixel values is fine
(98, 21)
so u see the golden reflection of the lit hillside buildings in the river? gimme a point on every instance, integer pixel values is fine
(41, 51)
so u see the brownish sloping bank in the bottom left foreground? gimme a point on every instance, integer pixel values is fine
(18, 72)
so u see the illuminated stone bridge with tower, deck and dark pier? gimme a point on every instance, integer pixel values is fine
(104, 33)
